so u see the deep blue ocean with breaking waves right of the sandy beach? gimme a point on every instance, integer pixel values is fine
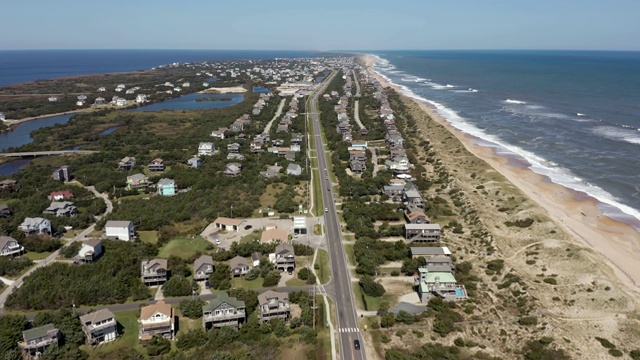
(573, 115)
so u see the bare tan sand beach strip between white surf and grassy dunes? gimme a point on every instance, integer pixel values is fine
(576, 213)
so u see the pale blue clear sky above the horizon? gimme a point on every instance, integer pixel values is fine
(320, 25)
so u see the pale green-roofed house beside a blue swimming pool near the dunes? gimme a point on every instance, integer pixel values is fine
(441, 284)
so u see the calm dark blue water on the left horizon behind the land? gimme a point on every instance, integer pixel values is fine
(18, 66)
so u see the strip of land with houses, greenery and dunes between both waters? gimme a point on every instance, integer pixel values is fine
(284, 208)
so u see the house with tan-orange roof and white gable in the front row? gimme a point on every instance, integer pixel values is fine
(156, 320)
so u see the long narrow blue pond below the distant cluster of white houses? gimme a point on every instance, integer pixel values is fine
(190, 102)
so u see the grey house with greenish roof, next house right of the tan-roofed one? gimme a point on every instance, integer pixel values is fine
(223, 310)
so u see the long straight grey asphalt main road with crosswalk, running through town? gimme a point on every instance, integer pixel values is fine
(348, 329)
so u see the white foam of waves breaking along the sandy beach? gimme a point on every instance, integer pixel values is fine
(556, 173)
